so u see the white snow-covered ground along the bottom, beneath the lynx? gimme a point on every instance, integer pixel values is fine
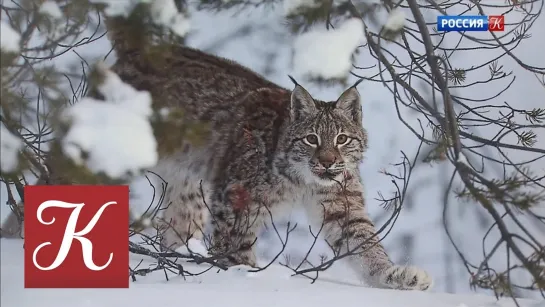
(235, 287)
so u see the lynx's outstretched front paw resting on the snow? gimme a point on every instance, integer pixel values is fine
(406, 278)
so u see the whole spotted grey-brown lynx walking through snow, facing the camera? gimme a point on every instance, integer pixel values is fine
(268, 149)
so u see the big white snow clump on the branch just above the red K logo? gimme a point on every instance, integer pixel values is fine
(116, 133)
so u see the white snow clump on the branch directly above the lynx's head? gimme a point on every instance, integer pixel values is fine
(322, 53)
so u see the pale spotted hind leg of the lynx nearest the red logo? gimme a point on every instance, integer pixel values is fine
(184, 216)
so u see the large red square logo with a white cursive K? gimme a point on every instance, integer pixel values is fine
(76, 236)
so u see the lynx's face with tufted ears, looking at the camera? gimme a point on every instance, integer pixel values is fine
(326, 137)
